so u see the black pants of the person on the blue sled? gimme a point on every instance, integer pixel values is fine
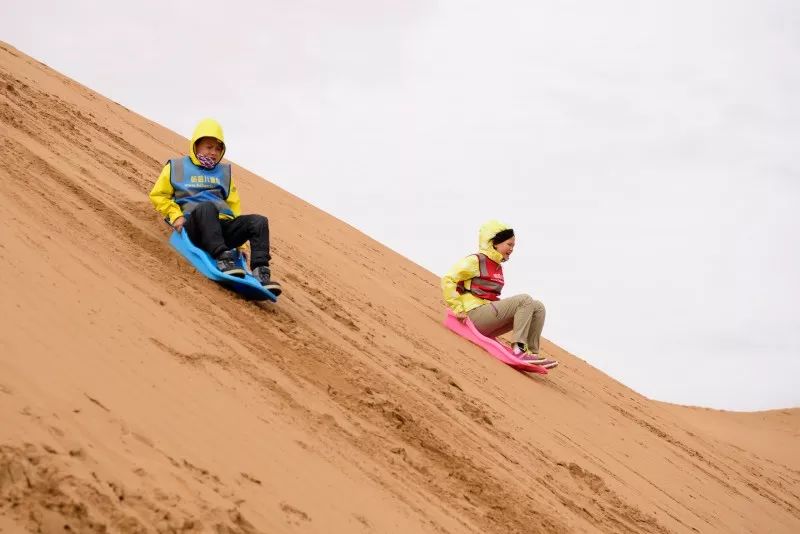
(215, 236)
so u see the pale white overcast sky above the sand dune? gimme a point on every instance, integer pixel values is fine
(643, 151)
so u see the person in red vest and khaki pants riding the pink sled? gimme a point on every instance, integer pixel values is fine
(472, 289)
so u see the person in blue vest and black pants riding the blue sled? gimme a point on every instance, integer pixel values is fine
(196, 194)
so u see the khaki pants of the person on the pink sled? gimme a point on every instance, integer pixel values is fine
(519, 313)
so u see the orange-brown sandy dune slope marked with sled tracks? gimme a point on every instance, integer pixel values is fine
(136, 396)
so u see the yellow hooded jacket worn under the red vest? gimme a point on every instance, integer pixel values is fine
(468, 268)
